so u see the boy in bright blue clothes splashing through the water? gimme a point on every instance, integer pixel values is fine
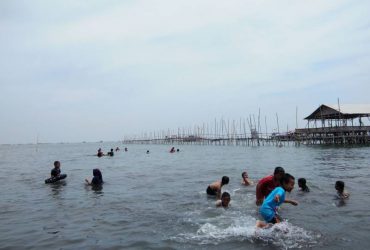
(275, 199)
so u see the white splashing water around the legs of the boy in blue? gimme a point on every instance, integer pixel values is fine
(283, 235)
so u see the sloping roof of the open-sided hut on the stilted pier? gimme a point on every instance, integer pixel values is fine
(345, 111)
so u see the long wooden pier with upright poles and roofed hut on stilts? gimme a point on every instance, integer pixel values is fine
(340, 126)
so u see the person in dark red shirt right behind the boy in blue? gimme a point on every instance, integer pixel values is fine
(267, 184)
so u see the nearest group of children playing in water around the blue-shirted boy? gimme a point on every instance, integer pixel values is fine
(270, 193)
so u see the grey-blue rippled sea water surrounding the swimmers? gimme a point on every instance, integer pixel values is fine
(158, 200)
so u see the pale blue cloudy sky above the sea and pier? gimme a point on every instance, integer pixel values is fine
(99, 70)
